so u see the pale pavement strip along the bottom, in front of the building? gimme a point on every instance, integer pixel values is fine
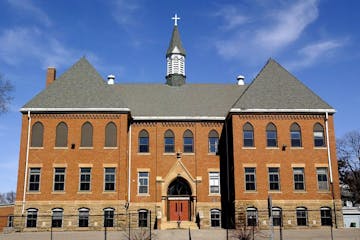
(211, 234)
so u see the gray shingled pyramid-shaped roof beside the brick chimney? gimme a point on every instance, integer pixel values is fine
(80, 88)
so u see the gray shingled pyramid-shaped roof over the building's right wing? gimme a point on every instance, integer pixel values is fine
(276, 90)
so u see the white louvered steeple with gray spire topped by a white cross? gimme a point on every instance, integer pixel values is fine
(175, 58)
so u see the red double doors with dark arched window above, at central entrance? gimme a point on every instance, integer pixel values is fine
(179, 200)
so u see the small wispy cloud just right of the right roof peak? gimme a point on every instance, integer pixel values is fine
(315, 52)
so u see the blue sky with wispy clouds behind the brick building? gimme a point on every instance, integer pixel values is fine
(318, 41)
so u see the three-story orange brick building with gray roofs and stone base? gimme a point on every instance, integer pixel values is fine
(205, 155)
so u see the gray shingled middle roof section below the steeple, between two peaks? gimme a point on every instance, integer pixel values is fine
(189, 100)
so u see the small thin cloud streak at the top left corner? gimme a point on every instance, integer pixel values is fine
(28, 7)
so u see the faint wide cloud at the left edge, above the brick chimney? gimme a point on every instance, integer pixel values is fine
(22, 44)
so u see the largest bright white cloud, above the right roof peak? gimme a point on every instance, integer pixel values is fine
(269, 31)
